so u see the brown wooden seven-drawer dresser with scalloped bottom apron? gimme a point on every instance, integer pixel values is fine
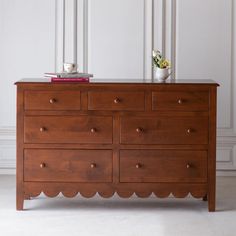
(111, 136)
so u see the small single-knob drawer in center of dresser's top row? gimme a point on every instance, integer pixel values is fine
(126, 101)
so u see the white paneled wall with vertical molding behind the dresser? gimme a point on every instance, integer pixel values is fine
(114, 39)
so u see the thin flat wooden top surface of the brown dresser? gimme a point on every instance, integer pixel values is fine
(122, 81)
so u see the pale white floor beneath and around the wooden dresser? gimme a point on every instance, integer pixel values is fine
(129, 217)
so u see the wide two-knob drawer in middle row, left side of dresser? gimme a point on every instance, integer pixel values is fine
(68, 129)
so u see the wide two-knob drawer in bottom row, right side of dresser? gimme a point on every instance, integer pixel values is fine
(163, 166)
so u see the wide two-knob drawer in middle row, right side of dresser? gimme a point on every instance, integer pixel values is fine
(164, 130)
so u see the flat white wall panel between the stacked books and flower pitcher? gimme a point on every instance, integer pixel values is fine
(139, 46)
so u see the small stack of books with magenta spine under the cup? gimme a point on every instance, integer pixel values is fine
(68, 77)
